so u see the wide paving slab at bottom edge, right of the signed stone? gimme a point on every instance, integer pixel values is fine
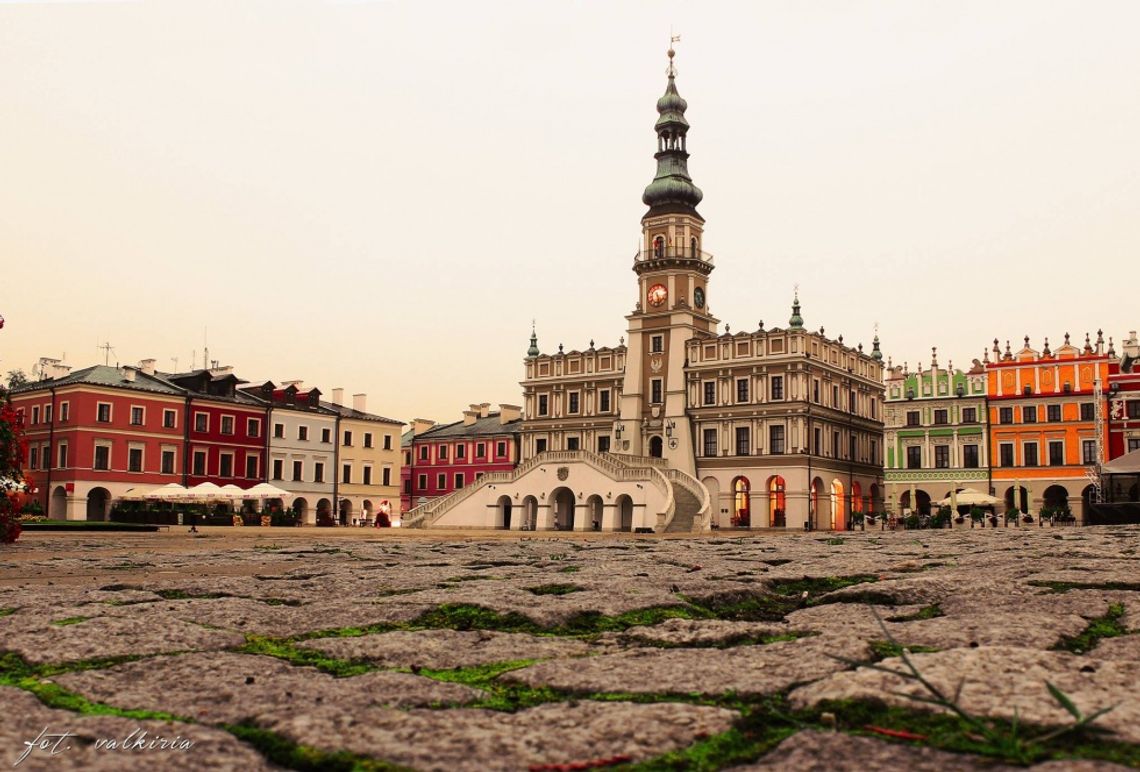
(467, 740)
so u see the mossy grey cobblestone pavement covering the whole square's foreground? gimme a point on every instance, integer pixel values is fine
(380, 651)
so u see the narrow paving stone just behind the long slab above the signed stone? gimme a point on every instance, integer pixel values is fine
(443, 649)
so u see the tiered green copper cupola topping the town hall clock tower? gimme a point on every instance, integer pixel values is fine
(672, 190)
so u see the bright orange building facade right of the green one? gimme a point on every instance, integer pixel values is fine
(1044, 417)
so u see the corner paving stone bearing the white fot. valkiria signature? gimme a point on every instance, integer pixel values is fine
(27, 720)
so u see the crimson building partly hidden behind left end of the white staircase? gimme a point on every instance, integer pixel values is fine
(447, 458)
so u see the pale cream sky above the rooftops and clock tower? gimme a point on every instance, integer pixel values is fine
(381, 196)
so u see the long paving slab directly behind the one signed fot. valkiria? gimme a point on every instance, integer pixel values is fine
(226, 687)
